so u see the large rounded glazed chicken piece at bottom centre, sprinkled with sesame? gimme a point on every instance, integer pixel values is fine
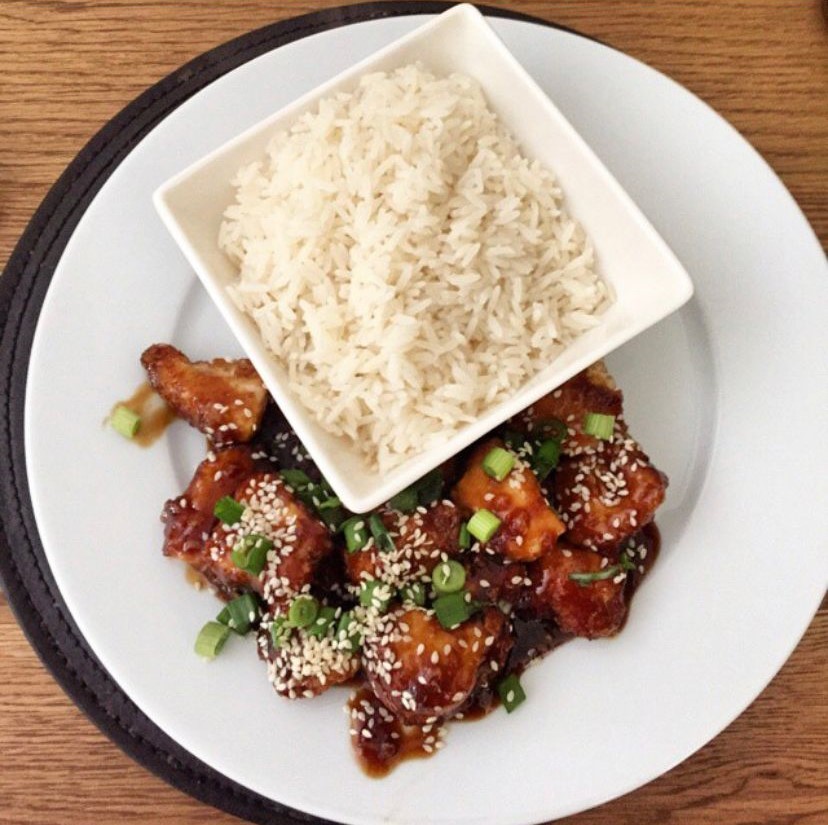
(422, 672)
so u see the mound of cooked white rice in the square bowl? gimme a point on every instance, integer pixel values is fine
(404, 262)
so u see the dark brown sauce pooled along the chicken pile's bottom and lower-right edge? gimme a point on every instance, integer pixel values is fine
(392, 742)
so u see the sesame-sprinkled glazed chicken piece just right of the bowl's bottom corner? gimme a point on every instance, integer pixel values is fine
(420, 541)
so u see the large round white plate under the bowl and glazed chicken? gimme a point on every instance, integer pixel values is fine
(728, 395)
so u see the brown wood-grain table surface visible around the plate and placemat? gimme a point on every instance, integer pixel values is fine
(67, 67)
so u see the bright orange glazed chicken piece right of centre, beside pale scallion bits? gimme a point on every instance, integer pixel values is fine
(529, 526)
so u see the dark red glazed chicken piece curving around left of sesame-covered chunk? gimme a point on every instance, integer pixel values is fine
(189, 518)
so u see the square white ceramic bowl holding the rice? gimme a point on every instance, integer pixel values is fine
(646, 277)
